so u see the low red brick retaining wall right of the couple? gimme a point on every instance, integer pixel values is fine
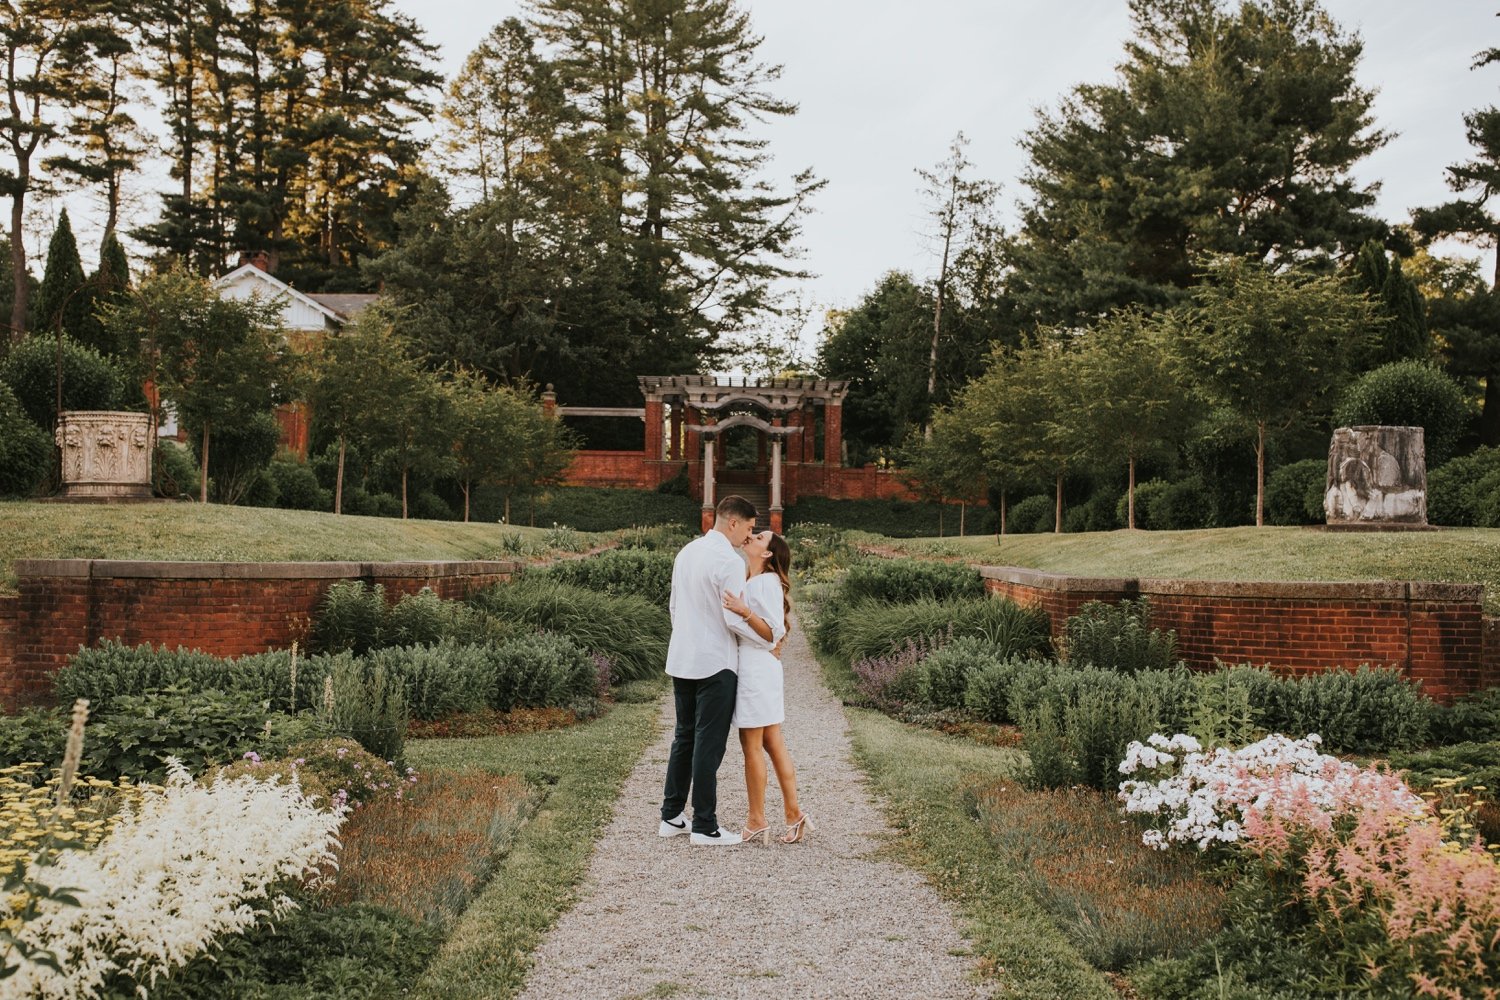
(1436, 633)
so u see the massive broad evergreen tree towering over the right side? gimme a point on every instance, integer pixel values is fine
(1231, 128)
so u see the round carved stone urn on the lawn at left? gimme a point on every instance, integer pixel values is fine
(107, 455)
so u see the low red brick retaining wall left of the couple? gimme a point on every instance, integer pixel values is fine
(223, 608)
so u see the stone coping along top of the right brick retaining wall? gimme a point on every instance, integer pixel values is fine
(1243, 590)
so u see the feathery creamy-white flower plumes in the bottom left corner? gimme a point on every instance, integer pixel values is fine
(185, 866)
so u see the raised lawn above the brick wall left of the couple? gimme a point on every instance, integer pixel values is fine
(214, 533)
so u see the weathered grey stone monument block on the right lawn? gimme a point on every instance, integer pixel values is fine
(1376, 478)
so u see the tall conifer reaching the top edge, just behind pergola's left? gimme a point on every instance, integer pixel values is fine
(665, 95)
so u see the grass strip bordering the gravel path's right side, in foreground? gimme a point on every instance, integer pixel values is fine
(926, 782)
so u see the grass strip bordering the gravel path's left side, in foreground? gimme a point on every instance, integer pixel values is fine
(583, 768)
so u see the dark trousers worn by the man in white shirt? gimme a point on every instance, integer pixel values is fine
(704, 711)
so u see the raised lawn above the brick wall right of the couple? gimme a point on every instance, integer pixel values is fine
(1460, 555)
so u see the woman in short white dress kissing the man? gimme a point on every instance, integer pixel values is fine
(760, 707)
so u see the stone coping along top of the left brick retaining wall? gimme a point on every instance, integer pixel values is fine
(161, 570)
